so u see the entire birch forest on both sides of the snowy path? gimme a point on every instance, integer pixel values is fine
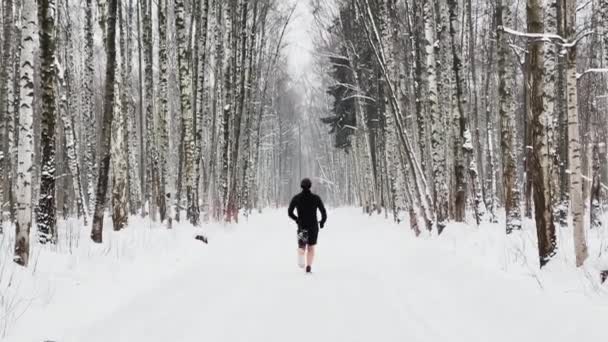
(439, 111)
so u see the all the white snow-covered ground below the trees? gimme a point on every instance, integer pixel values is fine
(373, 281)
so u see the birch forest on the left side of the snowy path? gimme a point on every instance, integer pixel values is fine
(166, 109)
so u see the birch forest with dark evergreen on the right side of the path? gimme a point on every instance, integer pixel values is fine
(471, 111)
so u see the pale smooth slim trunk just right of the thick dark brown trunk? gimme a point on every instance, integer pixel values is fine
(574, 148)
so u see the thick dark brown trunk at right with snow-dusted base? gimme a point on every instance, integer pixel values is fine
(540, 161)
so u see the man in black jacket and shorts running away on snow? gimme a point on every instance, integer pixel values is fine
(307, 204)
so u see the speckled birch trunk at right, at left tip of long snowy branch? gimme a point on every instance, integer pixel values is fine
(506, 74)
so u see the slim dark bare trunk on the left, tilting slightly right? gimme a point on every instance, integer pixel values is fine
(106, 129)
